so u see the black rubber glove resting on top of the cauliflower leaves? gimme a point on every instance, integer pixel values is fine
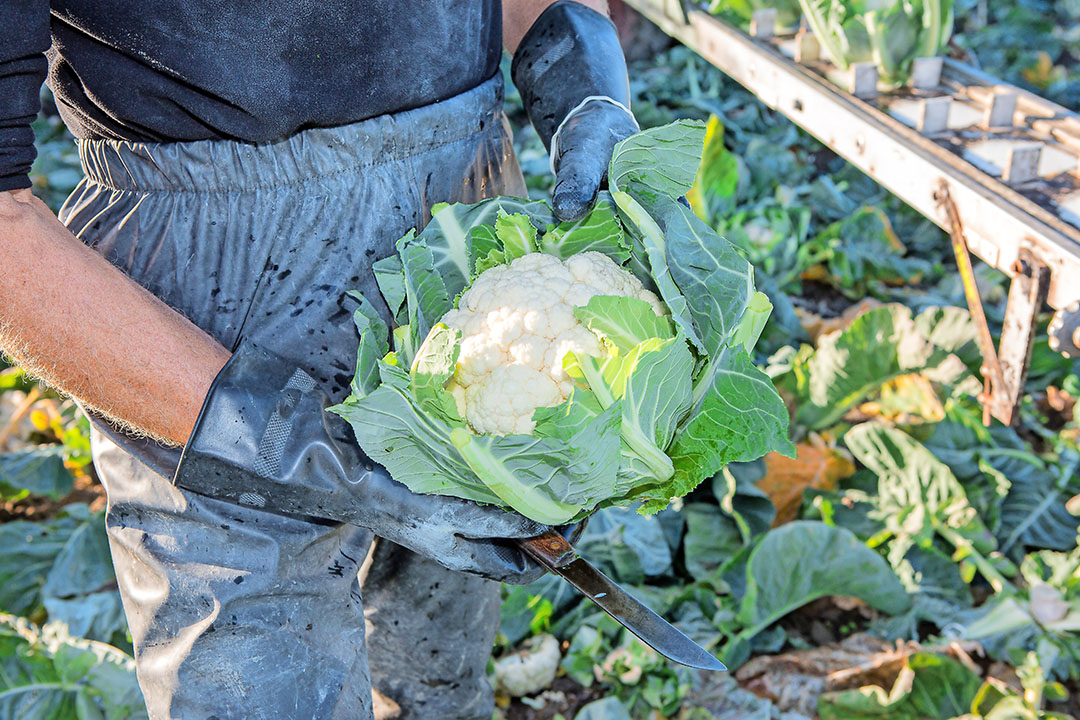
(572, 75)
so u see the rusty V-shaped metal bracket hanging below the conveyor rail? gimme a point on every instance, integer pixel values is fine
(1005, 370)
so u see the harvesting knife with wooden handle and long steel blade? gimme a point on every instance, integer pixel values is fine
(558, 556)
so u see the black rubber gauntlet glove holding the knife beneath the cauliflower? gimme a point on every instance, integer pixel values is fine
(264, 440)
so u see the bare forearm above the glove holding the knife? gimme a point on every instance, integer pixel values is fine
(82, 325)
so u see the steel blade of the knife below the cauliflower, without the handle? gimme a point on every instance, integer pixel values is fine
(652, 629)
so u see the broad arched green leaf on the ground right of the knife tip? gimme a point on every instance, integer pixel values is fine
(801, 562)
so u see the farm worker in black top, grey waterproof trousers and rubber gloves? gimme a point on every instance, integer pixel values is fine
(246, 164)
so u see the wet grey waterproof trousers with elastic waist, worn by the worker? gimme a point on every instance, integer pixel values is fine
(236, 613)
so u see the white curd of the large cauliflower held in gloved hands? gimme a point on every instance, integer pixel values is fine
(517, 325)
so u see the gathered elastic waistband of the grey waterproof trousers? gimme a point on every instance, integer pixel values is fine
(234, 167)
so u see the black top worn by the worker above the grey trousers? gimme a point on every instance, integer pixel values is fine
(255, 71)
